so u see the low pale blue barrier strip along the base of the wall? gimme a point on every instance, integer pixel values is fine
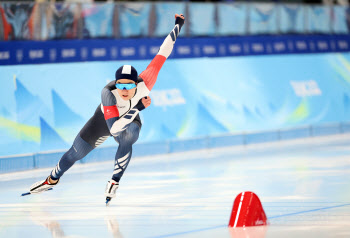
(49, 159)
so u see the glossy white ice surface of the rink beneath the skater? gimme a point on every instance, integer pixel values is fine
(304, 186)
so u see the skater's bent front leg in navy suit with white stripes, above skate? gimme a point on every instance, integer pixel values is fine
(126, 139)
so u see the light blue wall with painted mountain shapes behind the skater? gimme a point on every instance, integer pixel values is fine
(44, 107)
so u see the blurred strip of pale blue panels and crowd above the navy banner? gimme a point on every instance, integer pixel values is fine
(46, 20)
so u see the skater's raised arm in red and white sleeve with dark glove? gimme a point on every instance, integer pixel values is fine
(150, 75)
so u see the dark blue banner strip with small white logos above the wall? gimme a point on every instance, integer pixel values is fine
(32, 52)
